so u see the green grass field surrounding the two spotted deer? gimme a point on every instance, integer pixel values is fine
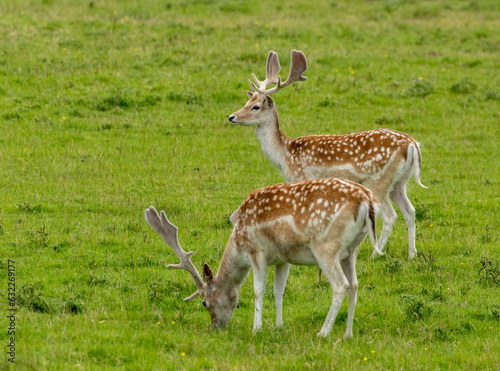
(108, 107)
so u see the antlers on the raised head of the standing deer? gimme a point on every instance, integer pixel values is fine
(297, 68)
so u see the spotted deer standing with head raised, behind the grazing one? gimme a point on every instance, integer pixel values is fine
(382, 160)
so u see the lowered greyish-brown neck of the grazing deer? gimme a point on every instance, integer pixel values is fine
(234, 266)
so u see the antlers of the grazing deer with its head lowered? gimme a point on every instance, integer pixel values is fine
(168, 232)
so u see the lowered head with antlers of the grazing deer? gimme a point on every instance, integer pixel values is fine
(219, 299)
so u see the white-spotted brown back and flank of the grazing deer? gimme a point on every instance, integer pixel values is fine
(308, 208)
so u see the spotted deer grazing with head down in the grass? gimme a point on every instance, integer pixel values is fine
(314, 222)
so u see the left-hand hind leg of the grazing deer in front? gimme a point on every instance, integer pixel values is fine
(340, 285)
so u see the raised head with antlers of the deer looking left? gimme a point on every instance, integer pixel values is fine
(260, 108)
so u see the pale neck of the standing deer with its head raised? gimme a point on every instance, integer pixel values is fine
(272, 140)
